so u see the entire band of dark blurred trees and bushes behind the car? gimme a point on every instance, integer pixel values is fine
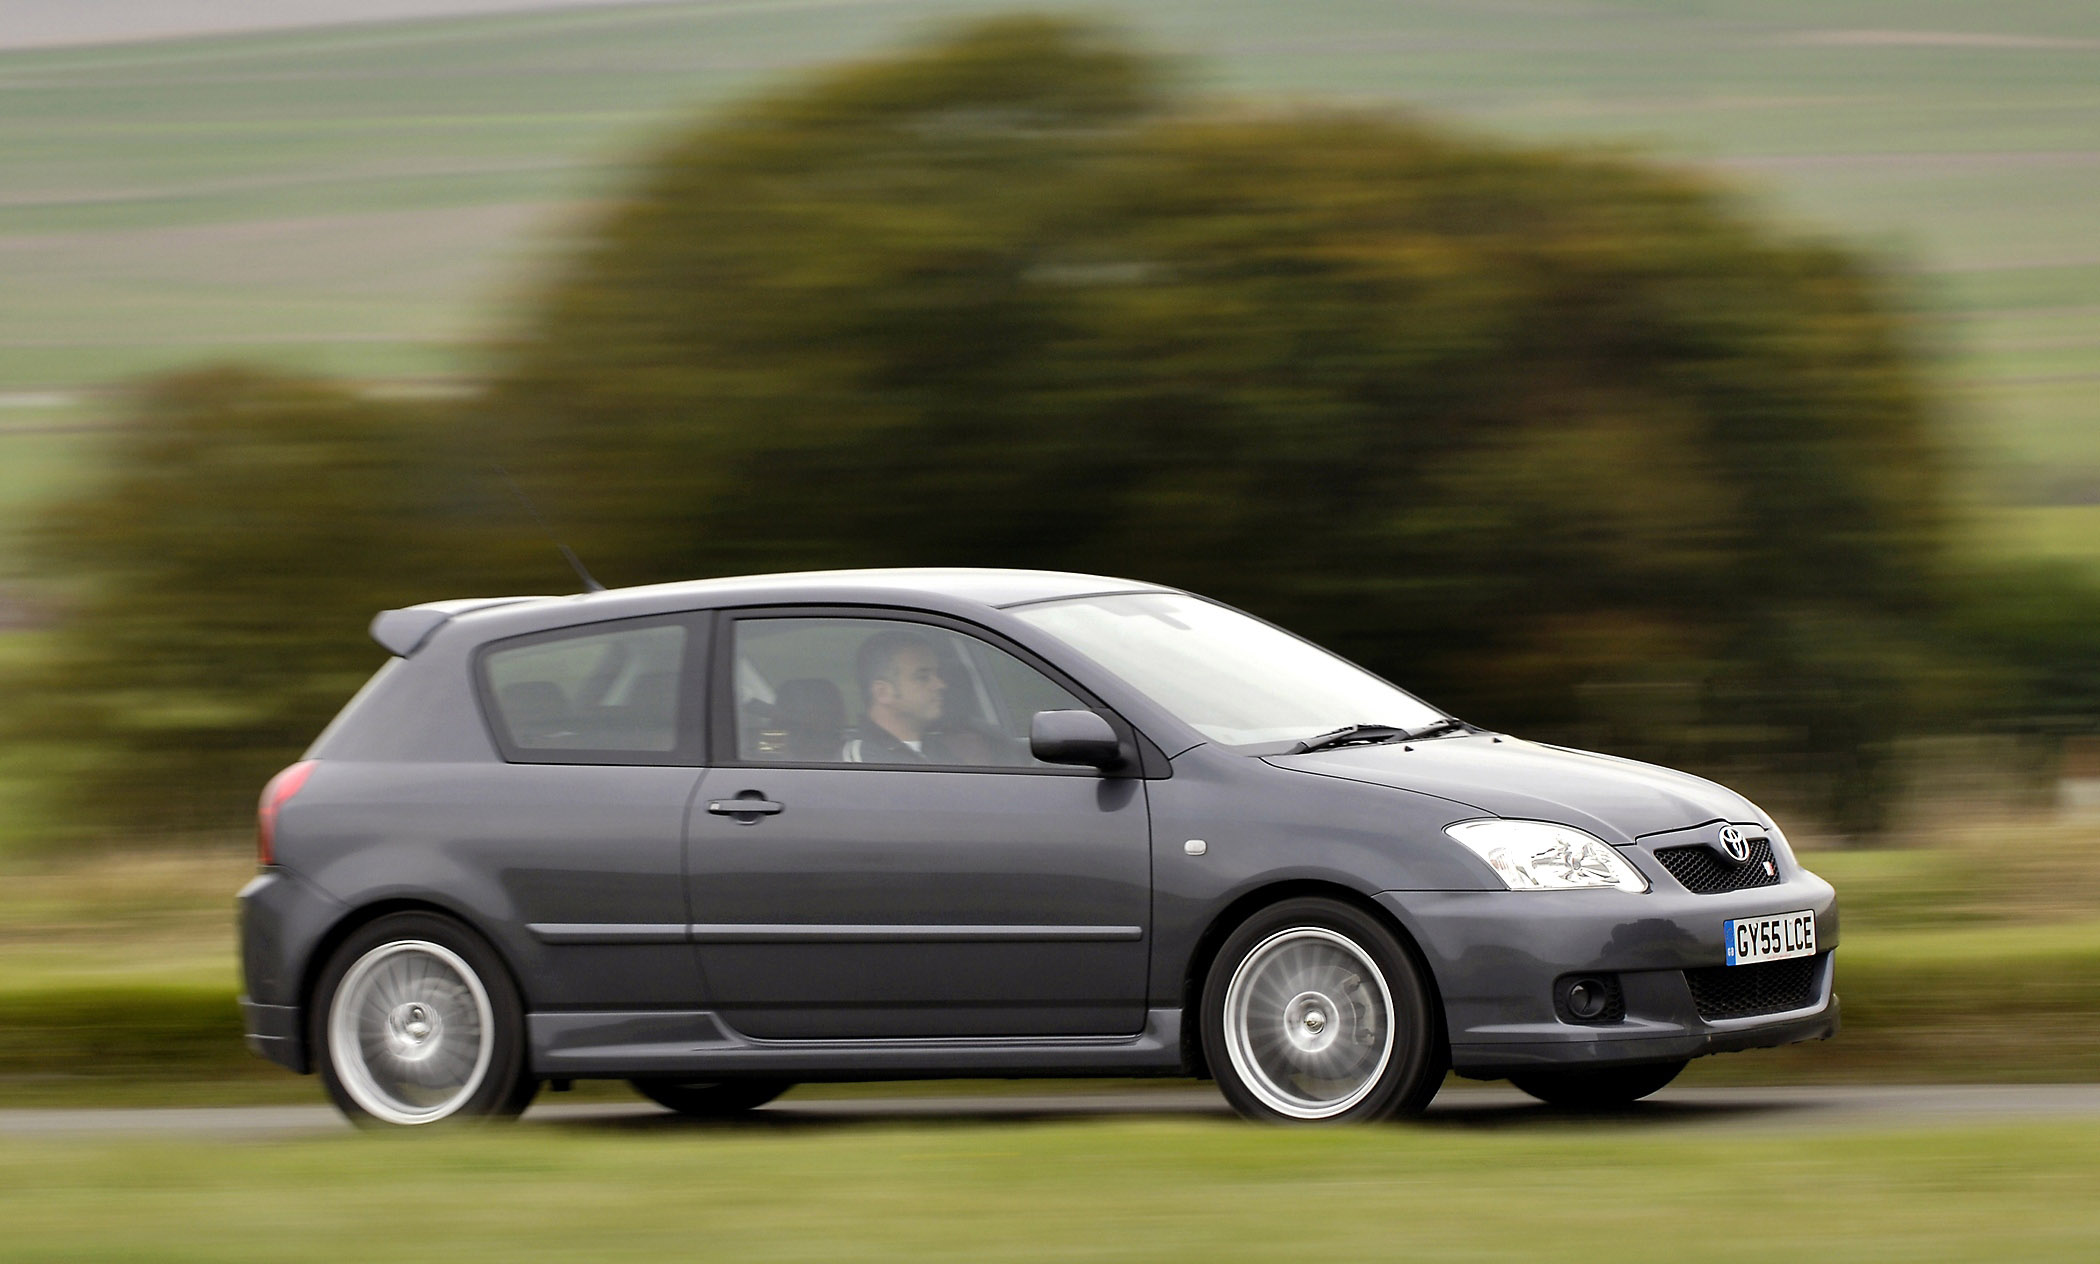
(1570, 444)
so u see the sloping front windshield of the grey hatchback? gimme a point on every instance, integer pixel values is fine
(1232, 677)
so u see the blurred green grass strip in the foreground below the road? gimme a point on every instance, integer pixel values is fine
(1066, 1192)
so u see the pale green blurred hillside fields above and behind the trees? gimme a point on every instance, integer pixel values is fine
(375, 201)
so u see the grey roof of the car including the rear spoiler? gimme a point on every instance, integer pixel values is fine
(954, 589)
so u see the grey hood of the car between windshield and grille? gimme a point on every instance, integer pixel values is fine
(1614, 799)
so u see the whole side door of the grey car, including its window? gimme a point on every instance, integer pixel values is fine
(854, 883)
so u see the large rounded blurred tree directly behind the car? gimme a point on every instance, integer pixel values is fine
(1563, 442)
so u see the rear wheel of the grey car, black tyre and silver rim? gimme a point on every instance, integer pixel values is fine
(417, 1021)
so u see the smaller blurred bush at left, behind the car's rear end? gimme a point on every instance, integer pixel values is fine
(222, 581)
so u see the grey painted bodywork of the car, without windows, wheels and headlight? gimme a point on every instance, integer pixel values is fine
(652, 935)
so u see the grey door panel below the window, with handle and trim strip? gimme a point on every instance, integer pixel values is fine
(971, 904)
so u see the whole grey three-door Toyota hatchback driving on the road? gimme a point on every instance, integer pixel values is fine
(726, 837)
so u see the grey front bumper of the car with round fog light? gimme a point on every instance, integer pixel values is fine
(1496, 958)
